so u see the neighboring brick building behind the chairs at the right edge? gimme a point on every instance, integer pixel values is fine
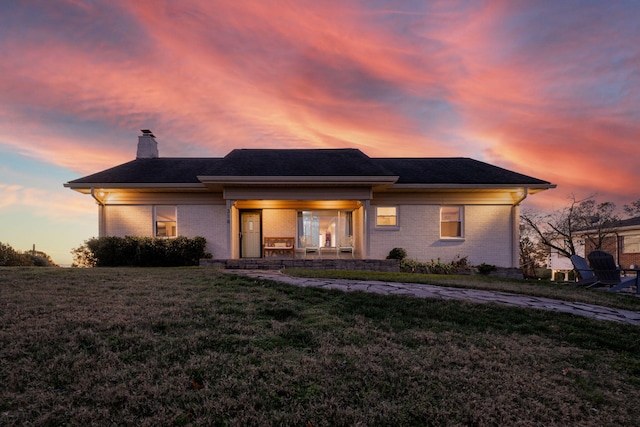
(623, 243)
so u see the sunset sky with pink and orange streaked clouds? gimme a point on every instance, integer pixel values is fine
(548, 88)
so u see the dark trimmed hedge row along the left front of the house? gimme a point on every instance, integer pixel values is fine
(140, 251)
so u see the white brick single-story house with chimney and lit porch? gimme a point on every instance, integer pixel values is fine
(316, 203)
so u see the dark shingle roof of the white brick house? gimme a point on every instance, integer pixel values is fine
(308, 163)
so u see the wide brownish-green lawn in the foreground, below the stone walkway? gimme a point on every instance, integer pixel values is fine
(192, 346)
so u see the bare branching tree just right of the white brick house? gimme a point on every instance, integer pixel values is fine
(568, 228)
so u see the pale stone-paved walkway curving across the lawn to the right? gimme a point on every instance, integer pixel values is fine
(442, 292)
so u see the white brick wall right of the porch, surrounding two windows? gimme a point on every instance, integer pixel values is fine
(487, 235)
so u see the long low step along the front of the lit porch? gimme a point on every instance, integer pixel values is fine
(392, 265)
